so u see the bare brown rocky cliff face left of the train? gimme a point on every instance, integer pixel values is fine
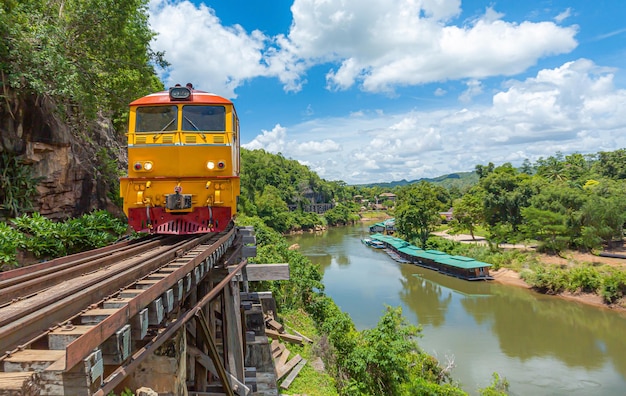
(65, 156)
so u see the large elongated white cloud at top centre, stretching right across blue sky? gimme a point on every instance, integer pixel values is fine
(380, 45)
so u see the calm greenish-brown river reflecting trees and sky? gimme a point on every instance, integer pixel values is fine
(543, 345)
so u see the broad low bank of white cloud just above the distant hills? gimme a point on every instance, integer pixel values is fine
(571, 108)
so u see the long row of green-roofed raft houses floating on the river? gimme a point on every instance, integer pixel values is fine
(459, 266)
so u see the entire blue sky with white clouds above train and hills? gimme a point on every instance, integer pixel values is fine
(367, 91)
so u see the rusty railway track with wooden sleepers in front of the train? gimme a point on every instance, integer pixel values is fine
(91, 312)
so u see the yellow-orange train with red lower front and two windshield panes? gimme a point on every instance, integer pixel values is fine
(183, 163)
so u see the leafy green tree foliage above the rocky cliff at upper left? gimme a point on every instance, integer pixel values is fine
(88, 56)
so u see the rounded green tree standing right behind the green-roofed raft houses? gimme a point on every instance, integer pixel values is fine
(417, 211)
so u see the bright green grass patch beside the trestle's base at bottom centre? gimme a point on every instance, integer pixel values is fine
(309, 381)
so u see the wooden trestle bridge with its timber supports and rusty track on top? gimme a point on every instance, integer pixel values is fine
(173, 314)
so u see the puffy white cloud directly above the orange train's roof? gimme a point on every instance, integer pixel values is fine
(200, 48)
